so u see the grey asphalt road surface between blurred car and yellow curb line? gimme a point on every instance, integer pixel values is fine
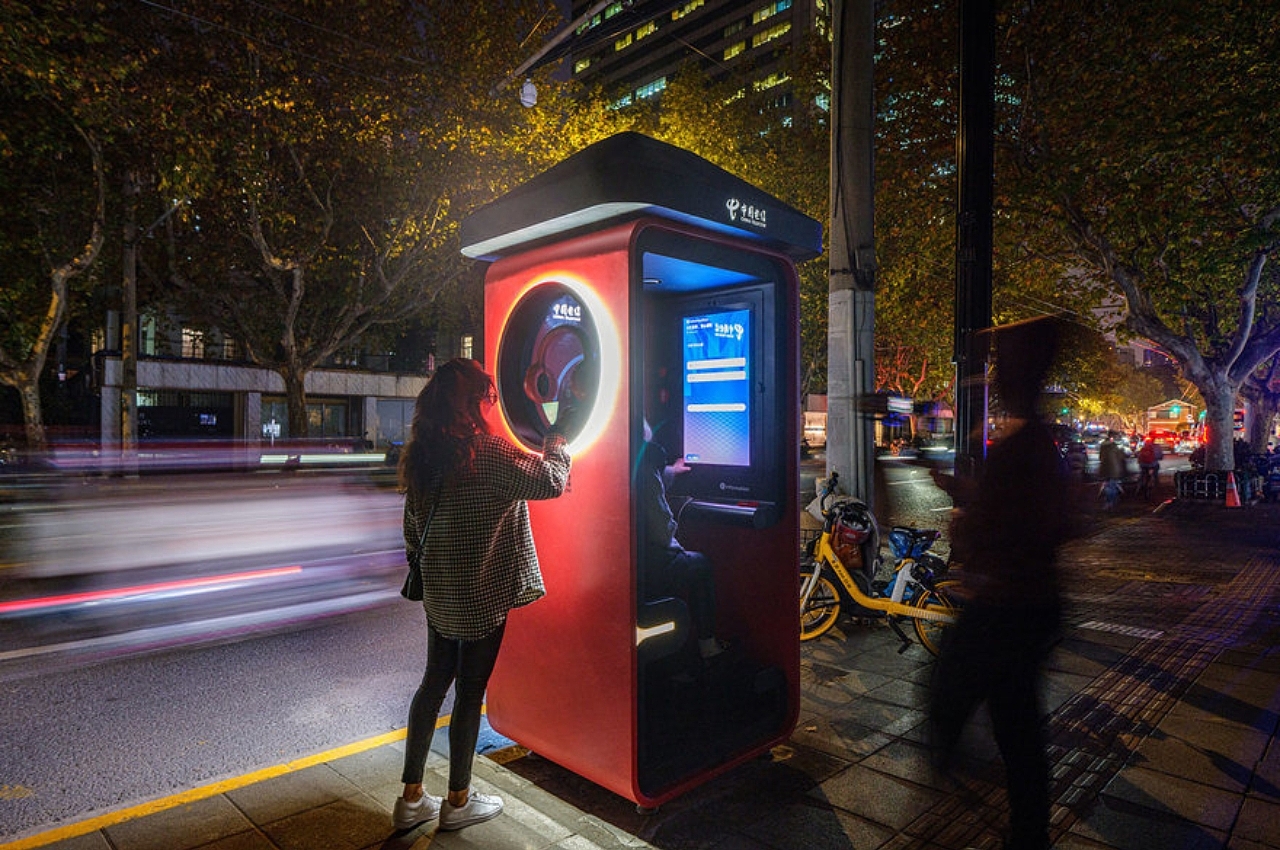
(79, 742)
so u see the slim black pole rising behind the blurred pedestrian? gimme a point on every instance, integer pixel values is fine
(976, 164)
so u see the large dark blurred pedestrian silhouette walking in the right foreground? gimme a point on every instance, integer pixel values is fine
(1007, 533)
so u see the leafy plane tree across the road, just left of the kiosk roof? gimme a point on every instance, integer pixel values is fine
(340, 173)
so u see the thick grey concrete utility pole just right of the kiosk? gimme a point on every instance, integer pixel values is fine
(852, 319)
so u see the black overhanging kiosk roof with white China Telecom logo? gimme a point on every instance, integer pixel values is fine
(628, 176)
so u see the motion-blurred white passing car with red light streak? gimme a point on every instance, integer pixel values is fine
(111, 566)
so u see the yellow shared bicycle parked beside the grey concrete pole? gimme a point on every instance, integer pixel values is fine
(830, 584)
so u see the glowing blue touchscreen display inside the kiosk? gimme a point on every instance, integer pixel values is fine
(719, 389)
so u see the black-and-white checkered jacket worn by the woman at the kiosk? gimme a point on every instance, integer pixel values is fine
(479, 560)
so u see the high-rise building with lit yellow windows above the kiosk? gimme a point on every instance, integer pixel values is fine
(634, 49)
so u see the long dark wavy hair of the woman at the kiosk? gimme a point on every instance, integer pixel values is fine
(446, 418)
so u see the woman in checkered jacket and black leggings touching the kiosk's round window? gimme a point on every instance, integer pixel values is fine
(467, 493)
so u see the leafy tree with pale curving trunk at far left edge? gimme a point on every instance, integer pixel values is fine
(54, 182)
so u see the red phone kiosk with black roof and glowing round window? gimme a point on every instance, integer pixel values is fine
(641, 285)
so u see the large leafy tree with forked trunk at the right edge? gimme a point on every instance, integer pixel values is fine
(1141, 147)
